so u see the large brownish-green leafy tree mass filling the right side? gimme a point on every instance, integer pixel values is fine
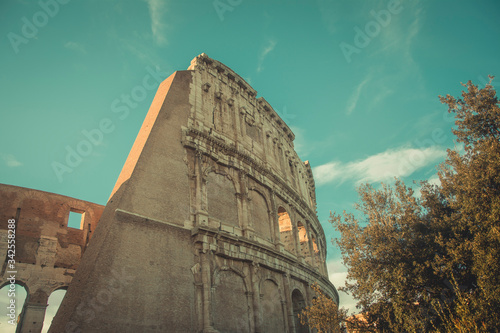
(404, 255)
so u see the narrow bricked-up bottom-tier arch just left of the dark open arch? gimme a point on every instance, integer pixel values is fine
(273, 310)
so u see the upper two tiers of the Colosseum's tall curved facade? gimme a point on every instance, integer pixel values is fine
(241, 137)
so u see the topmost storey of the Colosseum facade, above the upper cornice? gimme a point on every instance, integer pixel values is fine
(226, 108)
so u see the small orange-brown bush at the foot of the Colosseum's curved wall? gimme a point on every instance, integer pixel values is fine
(323, 315)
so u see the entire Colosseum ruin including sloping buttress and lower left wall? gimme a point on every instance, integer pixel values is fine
(211, 226)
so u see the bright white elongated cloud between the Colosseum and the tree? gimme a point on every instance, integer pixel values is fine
(384, 166)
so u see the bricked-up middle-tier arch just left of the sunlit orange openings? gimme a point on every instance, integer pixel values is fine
(259, 214)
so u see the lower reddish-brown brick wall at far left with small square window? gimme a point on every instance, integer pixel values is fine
(47, 251)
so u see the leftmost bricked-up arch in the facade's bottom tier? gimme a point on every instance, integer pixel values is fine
(230, 303)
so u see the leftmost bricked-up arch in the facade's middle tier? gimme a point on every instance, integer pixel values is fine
(221, 199)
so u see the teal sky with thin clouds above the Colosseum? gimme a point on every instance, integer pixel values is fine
(357, 82)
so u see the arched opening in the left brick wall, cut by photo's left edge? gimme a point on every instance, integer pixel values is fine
(13, 297)
